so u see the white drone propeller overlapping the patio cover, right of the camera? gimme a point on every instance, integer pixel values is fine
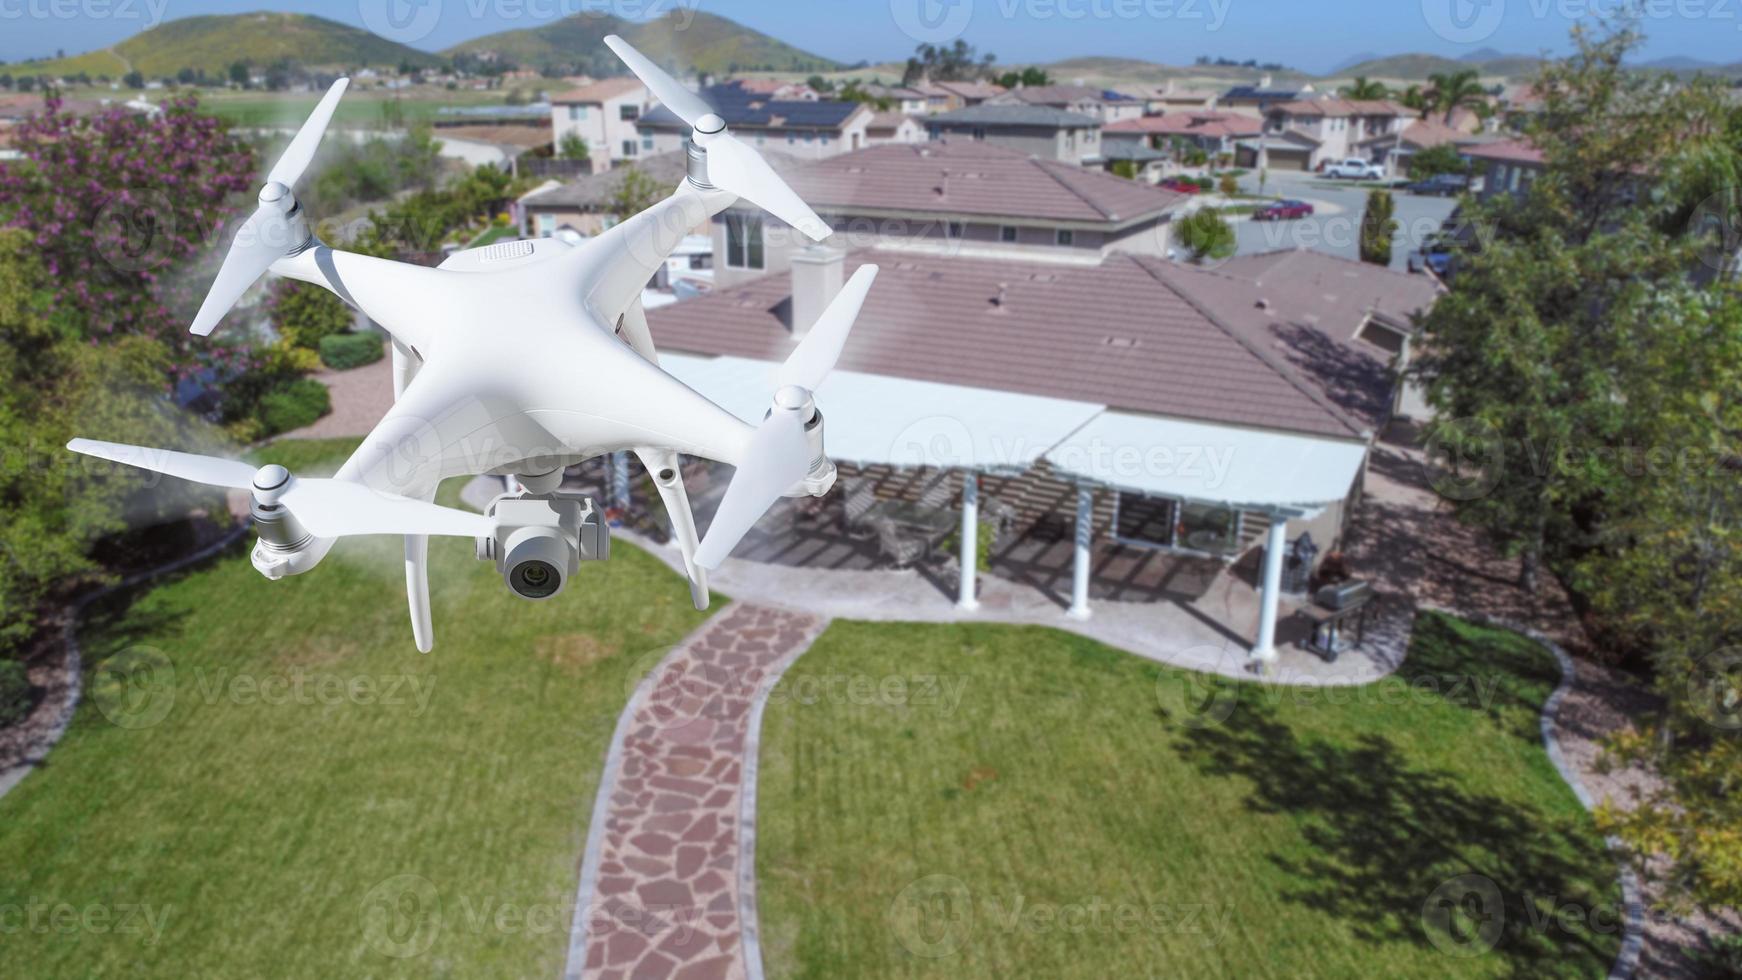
(780, 455)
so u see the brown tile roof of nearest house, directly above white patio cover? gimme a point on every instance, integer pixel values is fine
(1116, 333)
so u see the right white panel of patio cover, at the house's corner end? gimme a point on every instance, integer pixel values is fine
(1212, 464)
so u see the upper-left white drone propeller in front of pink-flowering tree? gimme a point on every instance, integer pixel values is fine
(278, 227)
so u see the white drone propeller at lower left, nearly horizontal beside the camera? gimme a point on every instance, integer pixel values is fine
(328, 509)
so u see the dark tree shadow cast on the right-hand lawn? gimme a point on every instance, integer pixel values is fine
(1394, 840)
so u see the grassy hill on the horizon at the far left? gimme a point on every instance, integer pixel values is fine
(215, 43)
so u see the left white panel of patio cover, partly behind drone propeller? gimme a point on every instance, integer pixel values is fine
(881, 420)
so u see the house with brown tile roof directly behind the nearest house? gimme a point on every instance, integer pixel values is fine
(954, 198)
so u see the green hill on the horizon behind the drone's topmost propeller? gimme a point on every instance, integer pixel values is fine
(706, 44)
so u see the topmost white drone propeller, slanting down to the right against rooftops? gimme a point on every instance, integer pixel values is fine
(733, 164)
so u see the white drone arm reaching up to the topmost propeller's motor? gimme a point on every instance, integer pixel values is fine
(618, 265)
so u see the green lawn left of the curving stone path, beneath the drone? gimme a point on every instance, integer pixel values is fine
(320, 796)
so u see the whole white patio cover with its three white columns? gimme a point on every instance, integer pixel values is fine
(896, 422)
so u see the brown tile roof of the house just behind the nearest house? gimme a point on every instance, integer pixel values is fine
(975, 178)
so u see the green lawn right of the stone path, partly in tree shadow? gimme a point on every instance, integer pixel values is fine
(1077, 812)
